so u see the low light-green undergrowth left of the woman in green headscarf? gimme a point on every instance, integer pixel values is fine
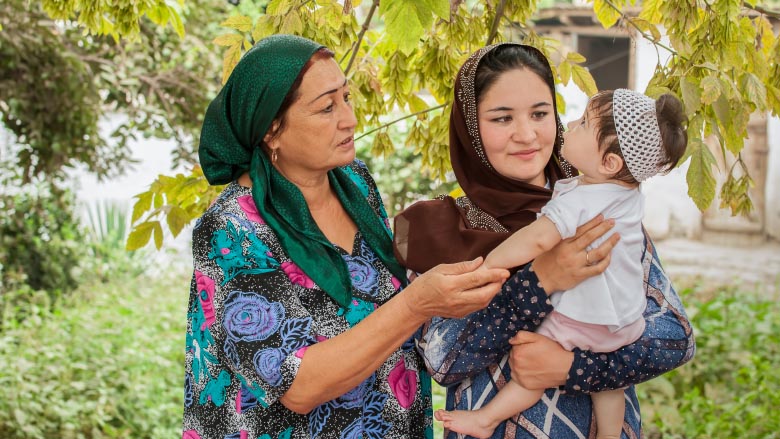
(107, 363)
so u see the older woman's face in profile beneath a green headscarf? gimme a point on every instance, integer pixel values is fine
(319, 125)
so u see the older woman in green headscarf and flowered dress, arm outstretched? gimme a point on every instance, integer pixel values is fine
(300, 318)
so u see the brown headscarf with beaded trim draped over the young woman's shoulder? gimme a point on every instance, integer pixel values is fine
(446, 230)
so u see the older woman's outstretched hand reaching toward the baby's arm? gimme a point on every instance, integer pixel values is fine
(454, 290)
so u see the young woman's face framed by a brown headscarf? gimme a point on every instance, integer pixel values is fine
(517, 124)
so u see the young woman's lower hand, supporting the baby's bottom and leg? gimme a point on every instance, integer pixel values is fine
(537, 362)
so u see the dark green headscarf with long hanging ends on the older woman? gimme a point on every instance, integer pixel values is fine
(230, 139)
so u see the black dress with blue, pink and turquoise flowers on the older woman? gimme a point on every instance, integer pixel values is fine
(253, 313)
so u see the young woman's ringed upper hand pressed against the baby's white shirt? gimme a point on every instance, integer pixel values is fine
(569, 262)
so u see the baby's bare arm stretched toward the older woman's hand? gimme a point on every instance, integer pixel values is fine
(524, 245)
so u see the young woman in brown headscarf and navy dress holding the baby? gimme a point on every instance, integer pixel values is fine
(505, 141)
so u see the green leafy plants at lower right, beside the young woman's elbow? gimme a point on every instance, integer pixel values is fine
(730, 388)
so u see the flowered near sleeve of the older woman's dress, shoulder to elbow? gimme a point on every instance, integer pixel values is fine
(248, 321)
